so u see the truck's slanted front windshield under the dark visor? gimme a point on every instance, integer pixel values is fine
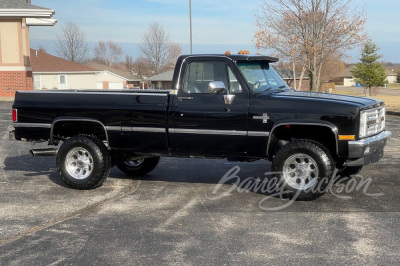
(260, 76)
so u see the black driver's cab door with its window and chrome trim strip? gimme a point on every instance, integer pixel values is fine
(202, 123)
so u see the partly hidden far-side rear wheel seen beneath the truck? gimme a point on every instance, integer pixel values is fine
(138, 167)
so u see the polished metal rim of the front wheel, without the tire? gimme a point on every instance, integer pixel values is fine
(300, 171)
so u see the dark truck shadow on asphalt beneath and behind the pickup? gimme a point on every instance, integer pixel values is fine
(207, 171)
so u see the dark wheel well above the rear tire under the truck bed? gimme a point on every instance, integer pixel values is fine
(64, 129)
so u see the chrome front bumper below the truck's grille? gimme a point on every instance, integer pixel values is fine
(366, 151)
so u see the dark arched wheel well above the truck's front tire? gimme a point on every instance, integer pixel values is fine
(287, 133)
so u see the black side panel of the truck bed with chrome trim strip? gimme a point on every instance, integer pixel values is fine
(119, 112)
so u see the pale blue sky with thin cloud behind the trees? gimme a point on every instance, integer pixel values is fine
(218, 25)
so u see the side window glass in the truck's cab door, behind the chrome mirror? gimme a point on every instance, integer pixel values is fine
(199, 74)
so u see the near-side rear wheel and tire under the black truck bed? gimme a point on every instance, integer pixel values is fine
(83, 162)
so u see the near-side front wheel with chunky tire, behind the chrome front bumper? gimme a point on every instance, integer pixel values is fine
(302, 169)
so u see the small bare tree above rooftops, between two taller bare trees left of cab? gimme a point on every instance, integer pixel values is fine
(108, 53)
